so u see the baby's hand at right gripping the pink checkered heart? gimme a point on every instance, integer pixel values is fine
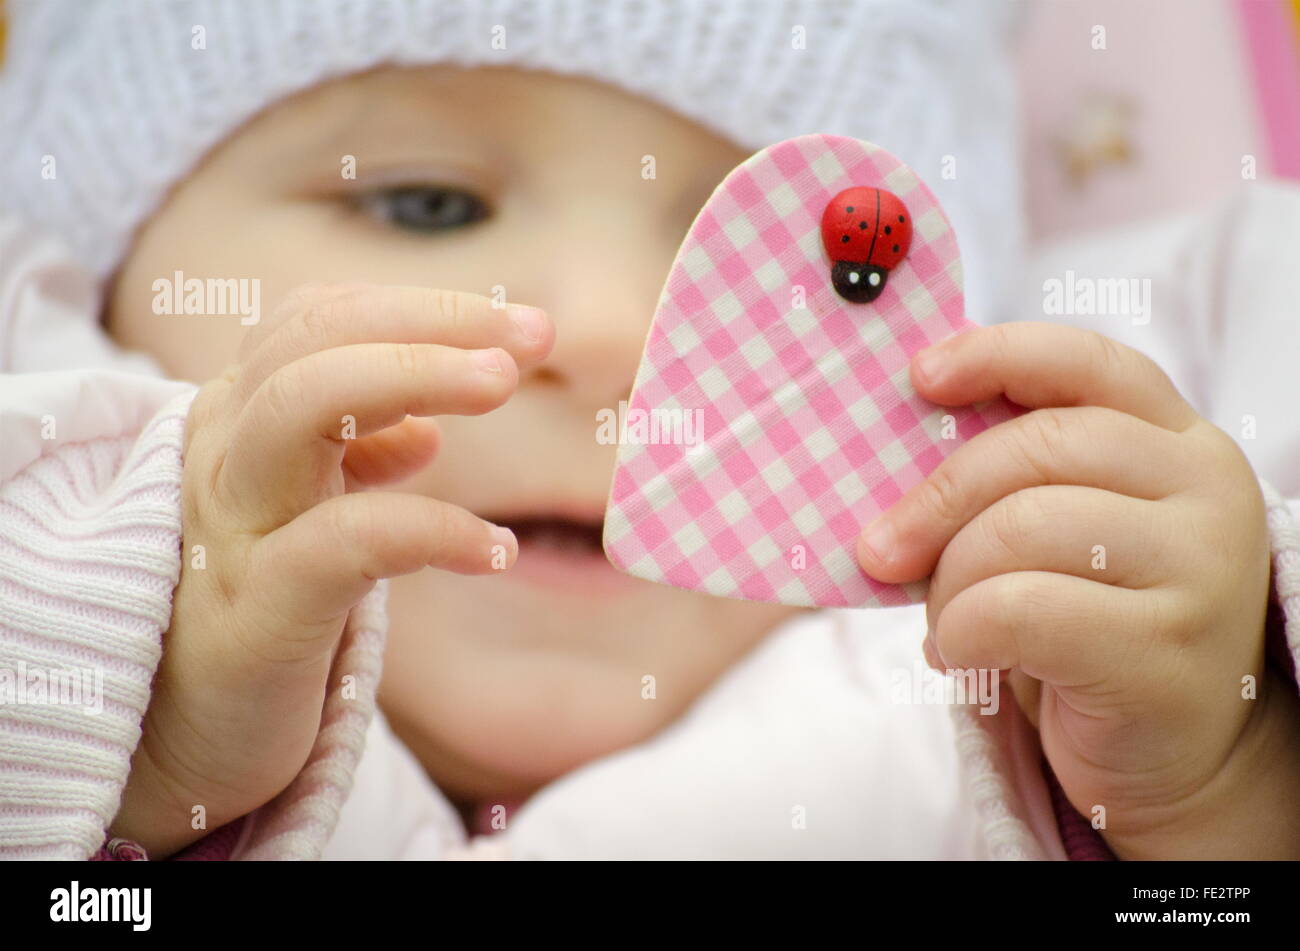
(1110, 552)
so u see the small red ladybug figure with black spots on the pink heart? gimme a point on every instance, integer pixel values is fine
(866, 232)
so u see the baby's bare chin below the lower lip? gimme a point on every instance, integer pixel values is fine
(500, 685)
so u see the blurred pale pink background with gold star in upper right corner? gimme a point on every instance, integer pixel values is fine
(1175, 90)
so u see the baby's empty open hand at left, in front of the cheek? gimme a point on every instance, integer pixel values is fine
(288, 552)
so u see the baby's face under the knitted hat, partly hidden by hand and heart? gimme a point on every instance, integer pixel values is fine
(471, 180)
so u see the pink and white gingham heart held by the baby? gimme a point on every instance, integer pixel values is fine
(811, 427)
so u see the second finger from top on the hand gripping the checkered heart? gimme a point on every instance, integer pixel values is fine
(1085, 446)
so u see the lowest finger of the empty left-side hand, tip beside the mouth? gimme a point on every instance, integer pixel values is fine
(324, 562)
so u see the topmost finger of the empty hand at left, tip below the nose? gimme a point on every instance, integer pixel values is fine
(322, 316)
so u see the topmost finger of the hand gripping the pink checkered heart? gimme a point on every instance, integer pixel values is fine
(1038, 364)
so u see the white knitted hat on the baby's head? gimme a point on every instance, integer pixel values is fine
(124, 103)
